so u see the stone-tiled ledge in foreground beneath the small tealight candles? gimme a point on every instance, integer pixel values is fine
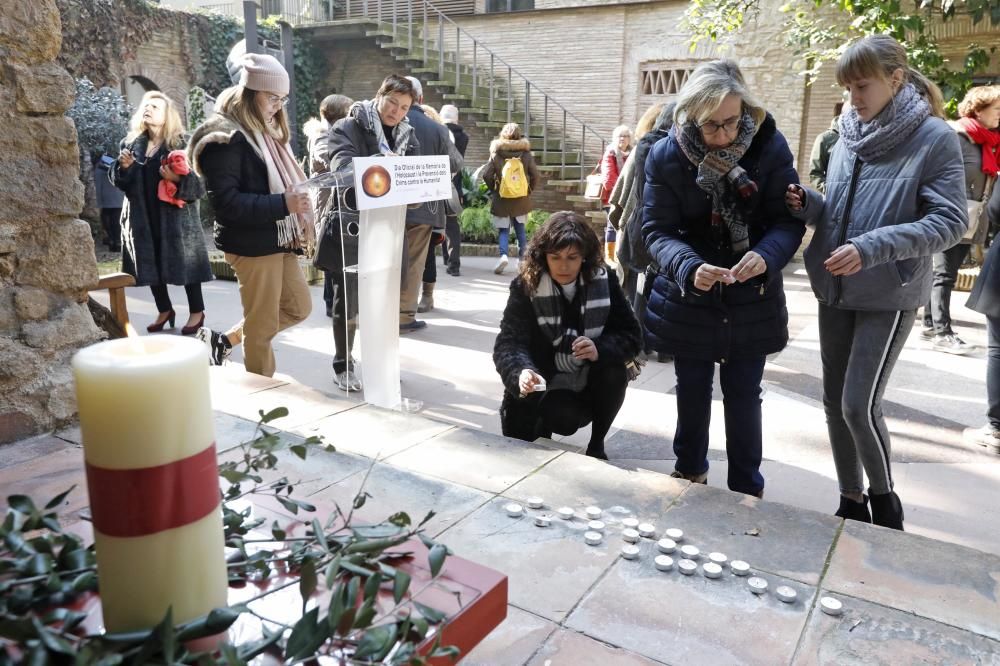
(907, 598)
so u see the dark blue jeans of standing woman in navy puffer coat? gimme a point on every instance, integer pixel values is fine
(740, 380)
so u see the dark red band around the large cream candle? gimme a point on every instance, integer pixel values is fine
(147, 500)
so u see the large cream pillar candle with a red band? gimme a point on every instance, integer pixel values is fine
(152, 475)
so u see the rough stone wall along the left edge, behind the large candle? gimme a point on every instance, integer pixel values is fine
(46, 253)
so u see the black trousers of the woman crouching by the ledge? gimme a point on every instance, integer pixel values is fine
(564, 412)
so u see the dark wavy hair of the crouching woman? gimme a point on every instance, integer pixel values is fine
(563, 229)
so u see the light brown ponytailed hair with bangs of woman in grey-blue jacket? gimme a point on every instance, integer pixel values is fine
(878, 57)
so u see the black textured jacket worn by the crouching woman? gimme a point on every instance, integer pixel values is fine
(522, 344)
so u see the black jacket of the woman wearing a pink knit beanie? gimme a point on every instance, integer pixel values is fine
(236, 179)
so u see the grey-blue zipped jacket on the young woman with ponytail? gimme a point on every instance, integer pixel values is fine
(897, 210)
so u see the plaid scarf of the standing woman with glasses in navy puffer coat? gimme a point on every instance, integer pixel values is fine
(720, 174)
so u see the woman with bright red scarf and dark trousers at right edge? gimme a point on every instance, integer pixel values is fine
(977, 127)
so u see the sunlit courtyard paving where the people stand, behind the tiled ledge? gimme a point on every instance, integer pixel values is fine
(950, 490)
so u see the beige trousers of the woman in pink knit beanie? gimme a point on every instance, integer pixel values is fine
(275, 296)
